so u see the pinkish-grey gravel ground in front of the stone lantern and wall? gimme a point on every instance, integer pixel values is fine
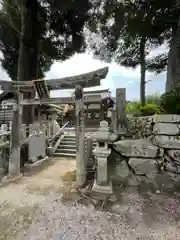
(134, 217)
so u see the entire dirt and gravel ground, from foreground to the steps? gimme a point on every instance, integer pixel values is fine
(33, 210)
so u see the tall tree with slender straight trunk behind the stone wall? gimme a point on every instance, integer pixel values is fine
(128, 30)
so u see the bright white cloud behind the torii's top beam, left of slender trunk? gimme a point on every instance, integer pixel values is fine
(83, 63)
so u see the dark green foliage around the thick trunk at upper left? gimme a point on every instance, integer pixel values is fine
(61, 26)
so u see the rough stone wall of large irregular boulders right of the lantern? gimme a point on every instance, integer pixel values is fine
(152, 157)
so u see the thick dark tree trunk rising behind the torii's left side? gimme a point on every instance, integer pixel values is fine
(28, 66)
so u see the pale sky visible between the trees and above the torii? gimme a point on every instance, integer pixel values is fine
(118, 77)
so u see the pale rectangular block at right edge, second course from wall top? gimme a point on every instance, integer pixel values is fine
(166, 129)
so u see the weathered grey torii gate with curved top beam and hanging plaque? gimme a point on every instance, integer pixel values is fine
(78, 82)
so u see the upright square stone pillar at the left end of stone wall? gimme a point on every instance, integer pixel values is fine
(121, 124)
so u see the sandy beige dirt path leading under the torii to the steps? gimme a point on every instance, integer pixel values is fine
(20, 202)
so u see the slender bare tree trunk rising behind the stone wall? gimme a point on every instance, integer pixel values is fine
(143, 71)
